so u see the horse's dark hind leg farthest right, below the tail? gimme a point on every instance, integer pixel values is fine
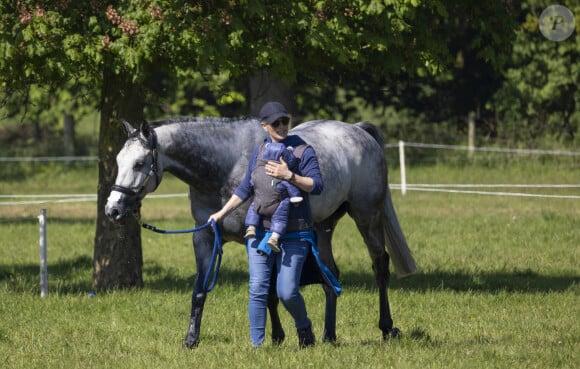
(371, 228)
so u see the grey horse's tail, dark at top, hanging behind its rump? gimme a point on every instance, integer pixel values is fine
(399, 251)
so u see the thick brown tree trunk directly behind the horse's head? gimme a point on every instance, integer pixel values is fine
(118, 258)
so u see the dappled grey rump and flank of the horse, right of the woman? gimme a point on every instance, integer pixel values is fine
(352, 164)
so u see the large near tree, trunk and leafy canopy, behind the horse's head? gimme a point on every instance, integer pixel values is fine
(118, 48)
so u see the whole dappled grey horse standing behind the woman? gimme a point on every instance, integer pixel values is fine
(211, 155)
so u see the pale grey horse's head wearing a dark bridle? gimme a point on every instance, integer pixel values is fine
(138, 172)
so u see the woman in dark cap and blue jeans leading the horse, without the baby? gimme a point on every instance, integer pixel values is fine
(294, 246)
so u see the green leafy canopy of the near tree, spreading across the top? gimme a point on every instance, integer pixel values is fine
(67, 45)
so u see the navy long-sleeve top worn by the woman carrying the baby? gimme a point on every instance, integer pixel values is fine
(308, 167)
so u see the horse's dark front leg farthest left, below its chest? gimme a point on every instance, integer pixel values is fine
(202, 246)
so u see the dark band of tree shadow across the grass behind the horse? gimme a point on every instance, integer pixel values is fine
(72, 276)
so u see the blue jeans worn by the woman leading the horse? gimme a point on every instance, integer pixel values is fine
(288, 265)
